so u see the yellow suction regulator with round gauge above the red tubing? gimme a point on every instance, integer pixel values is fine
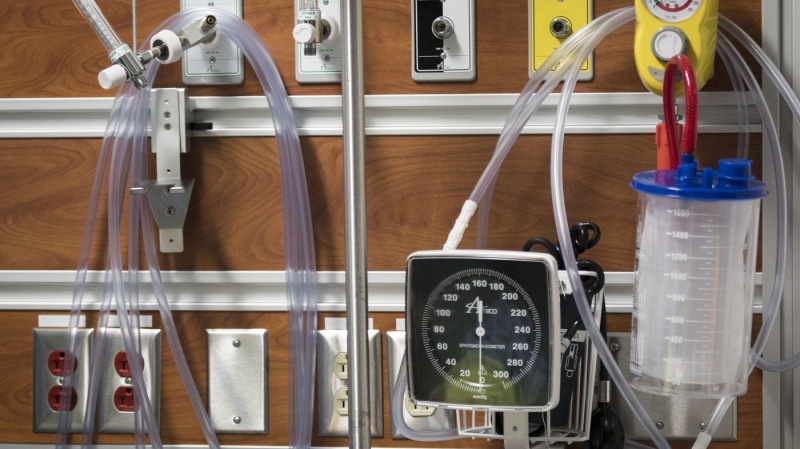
(665, 28)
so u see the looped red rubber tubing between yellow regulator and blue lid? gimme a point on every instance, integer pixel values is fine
(690, 91)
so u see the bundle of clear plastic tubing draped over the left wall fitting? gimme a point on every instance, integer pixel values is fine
(301, 271)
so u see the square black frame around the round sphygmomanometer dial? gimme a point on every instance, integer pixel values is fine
(535, 274)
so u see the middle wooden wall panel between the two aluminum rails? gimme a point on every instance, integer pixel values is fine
(415, 188)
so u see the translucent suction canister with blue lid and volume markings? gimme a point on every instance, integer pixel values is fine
(696, 247)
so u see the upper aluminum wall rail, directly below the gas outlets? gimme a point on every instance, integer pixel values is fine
(590, 113)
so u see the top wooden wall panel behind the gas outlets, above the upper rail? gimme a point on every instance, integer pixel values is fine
(50, 52)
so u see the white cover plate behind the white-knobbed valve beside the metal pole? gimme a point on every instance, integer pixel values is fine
(326, 65)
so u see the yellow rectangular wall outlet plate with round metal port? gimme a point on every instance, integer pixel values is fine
(542, 43)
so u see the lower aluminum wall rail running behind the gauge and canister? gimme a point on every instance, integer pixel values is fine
(245, 291)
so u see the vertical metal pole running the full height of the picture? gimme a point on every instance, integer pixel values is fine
(355, 226)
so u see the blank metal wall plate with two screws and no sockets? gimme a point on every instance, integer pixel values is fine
(238, 397)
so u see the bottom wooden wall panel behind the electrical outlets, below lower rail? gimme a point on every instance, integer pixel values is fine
(178, 424)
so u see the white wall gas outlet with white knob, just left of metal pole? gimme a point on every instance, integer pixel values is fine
(318, 47)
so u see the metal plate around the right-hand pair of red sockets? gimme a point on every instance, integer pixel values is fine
(109, 419)
